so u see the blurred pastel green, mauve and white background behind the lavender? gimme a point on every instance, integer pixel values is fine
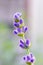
(32, 13)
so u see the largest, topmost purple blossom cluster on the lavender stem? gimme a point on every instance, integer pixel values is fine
(20, 29)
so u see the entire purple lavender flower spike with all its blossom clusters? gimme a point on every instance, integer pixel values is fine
(20, 30)
